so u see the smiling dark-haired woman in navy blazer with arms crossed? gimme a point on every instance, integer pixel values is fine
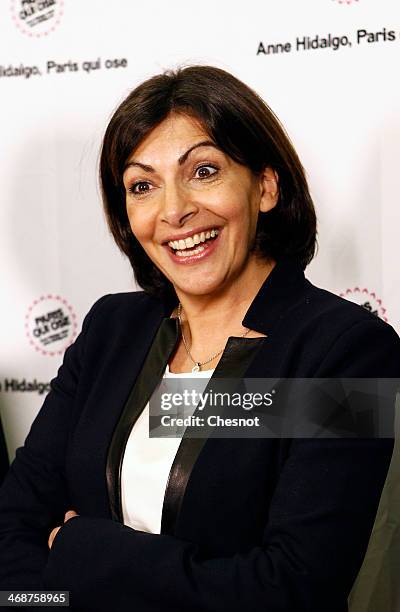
(206, 196)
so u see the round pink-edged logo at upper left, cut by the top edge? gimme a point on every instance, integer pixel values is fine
(37, 18)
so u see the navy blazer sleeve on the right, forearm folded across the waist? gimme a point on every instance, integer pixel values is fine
(313, 544)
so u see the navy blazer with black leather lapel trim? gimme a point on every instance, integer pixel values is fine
(255, 525)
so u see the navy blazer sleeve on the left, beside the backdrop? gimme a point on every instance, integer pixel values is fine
(33, 495)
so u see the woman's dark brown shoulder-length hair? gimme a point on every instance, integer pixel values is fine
(243, 126)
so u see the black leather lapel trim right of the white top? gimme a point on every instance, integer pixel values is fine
(234, 363)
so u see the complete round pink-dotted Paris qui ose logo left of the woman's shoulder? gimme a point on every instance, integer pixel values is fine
(50, 325)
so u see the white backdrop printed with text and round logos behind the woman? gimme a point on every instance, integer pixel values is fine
(59, 84)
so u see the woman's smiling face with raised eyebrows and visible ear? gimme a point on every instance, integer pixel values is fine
(192, 208)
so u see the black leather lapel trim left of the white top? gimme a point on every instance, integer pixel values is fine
(150, 375)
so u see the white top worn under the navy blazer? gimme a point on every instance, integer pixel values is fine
(145, 469)
